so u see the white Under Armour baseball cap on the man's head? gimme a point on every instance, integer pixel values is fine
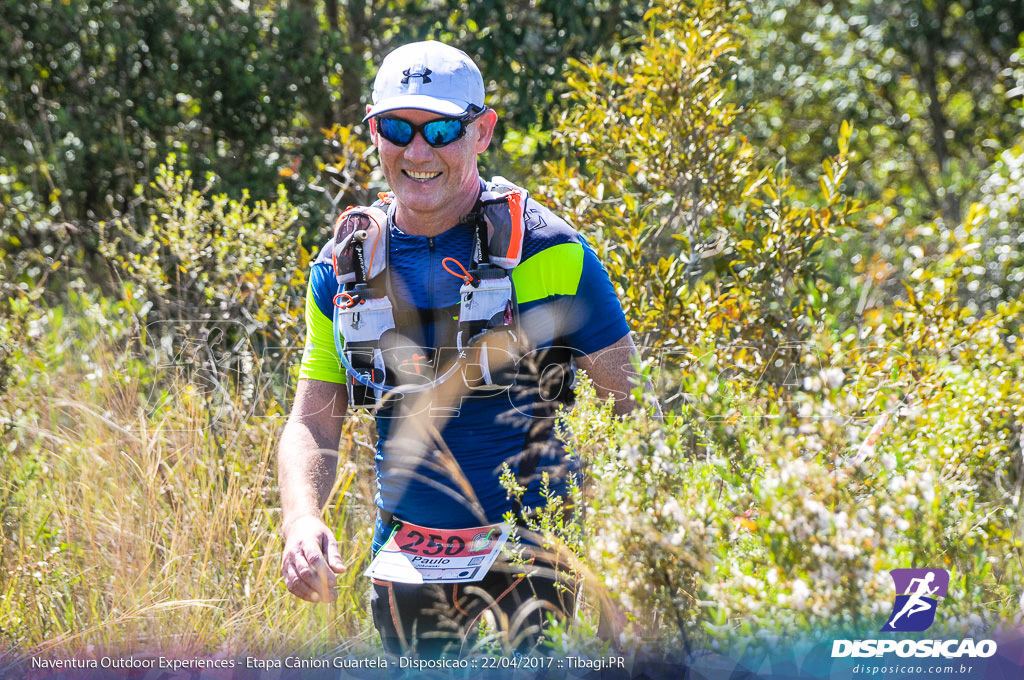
(429, 76)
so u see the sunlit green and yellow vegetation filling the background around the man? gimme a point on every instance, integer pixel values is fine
(812, 211)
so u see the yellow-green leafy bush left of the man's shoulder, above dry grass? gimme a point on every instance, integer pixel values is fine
(220, 282)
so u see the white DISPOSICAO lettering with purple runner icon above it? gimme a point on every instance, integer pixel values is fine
(918, 594)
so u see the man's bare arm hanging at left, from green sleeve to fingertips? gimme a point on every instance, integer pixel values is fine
(308, 463)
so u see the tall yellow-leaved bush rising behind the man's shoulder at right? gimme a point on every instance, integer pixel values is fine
(691, 229)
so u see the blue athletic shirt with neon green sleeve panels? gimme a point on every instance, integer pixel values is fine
(566, 300)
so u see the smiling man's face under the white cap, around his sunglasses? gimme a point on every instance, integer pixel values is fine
(439, 185)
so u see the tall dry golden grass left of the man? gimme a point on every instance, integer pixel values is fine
(140, 508)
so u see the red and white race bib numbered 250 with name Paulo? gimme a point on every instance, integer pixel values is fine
(420, 555)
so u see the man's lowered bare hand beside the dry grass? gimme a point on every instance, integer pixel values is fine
(312, 560)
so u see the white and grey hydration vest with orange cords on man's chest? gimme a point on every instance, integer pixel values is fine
(380, 362)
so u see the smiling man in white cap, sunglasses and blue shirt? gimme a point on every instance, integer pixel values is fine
(457, 310)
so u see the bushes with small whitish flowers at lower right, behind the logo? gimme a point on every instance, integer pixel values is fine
(790, 526)
